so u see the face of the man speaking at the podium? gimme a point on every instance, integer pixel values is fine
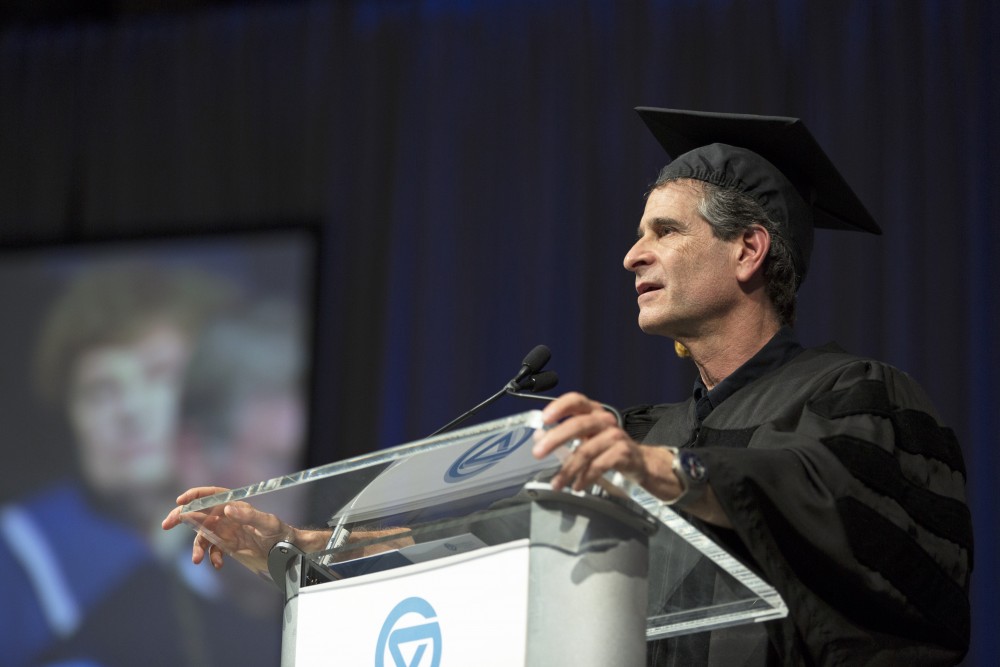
(684, 274)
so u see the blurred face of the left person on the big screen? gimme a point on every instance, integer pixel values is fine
(123, 408)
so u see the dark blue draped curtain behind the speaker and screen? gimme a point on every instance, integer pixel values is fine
(477, 173)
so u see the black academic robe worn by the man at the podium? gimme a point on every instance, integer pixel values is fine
(848, 496)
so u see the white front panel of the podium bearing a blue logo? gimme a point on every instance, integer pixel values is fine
(450, 612)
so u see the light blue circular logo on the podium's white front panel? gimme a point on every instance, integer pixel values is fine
(410, 636)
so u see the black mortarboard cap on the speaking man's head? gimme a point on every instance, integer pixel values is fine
(774, 159)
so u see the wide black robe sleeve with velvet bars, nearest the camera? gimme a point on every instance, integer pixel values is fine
(855, 512)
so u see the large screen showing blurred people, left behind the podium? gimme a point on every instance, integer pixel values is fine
(131, 370)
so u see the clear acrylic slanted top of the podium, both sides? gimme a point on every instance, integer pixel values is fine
(426, 499)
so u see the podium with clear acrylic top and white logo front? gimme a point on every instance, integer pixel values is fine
(454, 550)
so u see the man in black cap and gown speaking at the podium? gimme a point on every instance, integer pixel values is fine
(829, 474)
